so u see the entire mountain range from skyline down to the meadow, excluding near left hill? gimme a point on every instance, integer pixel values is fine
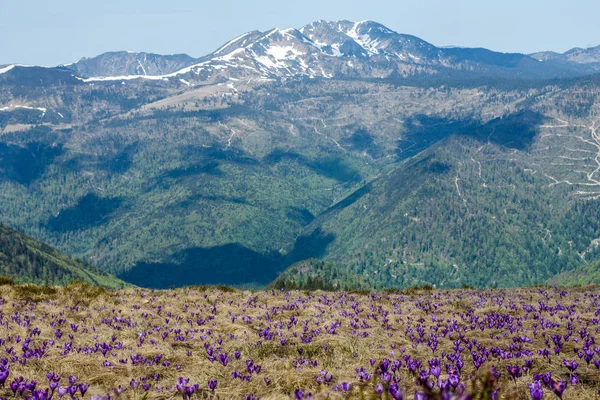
(393, 161)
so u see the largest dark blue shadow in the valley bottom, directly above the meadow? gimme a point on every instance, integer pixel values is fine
(230, 264)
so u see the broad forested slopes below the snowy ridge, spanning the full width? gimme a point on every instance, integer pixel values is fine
(162, 197)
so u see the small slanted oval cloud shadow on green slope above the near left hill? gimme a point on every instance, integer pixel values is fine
(89, 211)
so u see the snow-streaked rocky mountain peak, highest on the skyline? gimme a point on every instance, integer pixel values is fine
(320, 49)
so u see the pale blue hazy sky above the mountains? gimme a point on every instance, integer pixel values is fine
(51, 32)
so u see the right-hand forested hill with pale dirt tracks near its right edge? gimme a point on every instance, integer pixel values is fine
(484, 207)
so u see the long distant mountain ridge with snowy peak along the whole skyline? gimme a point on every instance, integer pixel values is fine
(325, 49)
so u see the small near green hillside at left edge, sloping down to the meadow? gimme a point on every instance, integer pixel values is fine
(29, 261)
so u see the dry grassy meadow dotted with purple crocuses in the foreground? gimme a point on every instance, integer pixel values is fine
(217, 343)
